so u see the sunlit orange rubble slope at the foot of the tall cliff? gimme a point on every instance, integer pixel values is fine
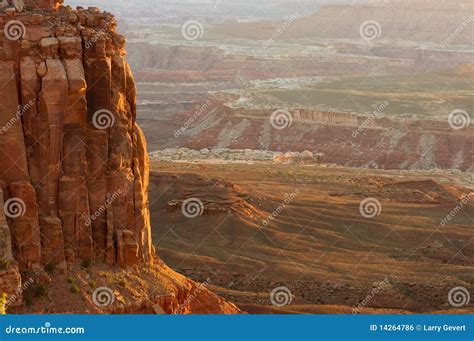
(152, 289)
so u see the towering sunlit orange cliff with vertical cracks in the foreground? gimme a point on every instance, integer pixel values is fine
(74, 167)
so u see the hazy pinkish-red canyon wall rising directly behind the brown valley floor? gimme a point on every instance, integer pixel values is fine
(347, 139)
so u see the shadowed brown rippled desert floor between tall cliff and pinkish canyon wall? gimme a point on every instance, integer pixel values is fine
(318, 244)
